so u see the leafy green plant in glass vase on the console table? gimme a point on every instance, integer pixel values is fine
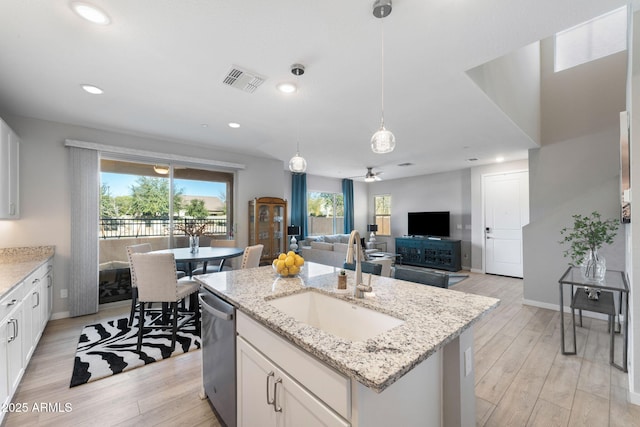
(586, 237)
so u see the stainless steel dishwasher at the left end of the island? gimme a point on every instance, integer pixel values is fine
(219, 355)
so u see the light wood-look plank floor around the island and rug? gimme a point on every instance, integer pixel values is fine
(521, 377)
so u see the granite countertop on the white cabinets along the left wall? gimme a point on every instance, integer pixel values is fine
(18, 263)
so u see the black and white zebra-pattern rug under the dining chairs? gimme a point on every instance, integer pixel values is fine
(109, 348)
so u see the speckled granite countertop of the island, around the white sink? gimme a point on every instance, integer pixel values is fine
(432, 318)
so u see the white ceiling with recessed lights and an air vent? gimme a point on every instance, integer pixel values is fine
(161, 64)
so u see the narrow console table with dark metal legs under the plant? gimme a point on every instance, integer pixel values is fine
(613, 282)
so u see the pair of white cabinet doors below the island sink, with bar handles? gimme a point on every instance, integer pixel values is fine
(268, 396)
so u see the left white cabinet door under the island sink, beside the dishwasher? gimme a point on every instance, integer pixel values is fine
(256, 382)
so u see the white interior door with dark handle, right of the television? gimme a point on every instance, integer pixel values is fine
(506, 211)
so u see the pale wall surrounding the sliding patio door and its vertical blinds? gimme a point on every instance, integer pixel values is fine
(45, 184)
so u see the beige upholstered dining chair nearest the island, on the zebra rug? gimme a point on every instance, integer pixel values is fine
(157, 282)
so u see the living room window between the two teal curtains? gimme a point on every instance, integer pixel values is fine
(325, 212)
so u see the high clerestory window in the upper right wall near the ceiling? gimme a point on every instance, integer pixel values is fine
(591, 40)
